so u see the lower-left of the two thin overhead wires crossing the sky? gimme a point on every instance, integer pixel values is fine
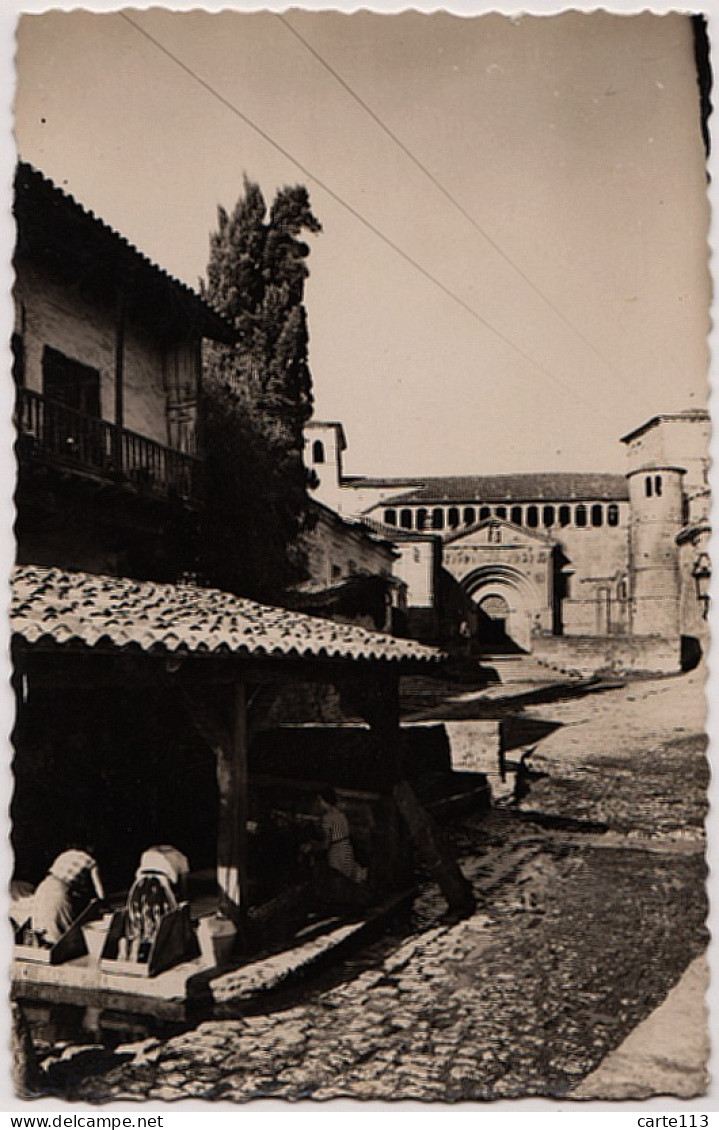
(350, 208)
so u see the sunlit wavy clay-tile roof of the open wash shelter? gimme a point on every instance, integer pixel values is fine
(53, 606)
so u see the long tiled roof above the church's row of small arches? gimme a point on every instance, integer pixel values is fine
(543, 486)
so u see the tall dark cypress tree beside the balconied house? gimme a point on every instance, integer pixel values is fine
(258, 397)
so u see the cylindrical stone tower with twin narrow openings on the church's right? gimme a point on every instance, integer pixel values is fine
(656, 510)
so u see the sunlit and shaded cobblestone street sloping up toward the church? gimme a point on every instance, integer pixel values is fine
(591, 907)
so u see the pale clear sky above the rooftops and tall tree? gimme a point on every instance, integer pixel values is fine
(562, 205)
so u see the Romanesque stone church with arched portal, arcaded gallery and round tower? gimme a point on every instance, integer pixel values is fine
(590, 569)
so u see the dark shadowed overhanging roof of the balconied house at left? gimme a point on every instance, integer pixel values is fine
(36, 194)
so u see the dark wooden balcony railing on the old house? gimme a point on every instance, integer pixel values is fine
(57, 434)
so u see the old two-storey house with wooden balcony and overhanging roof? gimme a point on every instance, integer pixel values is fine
(107, 366)
